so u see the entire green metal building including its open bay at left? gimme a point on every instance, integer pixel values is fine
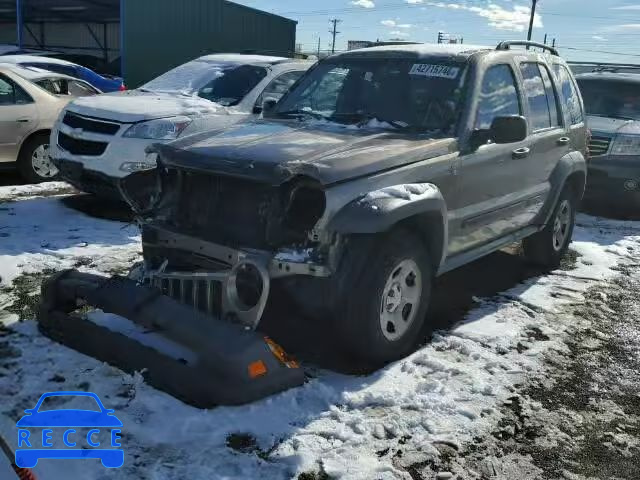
(144, 37)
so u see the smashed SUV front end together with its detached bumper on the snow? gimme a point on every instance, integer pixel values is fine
(212, 246)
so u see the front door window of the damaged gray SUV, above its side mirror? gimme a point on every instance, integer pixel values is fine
(499, 96)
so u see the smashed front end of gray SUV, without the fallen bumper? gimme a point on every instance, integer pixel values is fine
(217, 242)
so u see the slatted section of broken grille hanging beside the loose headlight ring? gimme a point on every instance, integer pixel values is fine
(201, 291)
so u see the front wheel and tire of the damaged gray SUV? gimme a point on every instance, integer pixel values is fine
(383, 312)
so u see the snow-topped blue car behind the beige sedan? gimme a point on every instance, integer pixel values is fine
(102, 83)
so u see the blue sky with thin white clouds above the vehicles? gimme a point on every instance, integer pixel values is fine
(585, 30)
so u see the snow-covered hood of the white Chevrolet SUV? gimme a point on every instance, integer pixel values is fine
(135, 106)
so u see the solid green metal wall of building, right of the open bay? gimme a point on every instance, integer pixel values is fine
(160, 34)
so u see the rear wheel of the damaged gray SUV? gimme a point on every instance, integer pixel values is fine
(546, 248)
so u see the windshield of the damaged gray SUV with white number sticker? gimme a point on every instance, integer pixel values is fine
(396, 93)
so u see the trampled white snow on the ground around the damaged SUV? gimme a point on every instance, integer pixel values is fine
(357, 427)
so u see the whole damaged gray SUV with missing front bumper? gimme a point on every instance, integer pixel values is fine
(381, 169)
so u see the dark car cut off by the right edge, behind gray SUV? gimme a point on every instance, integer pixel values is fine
(612, 101)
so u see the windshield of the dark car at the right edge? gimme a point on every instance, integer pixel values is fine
(613, 99)
